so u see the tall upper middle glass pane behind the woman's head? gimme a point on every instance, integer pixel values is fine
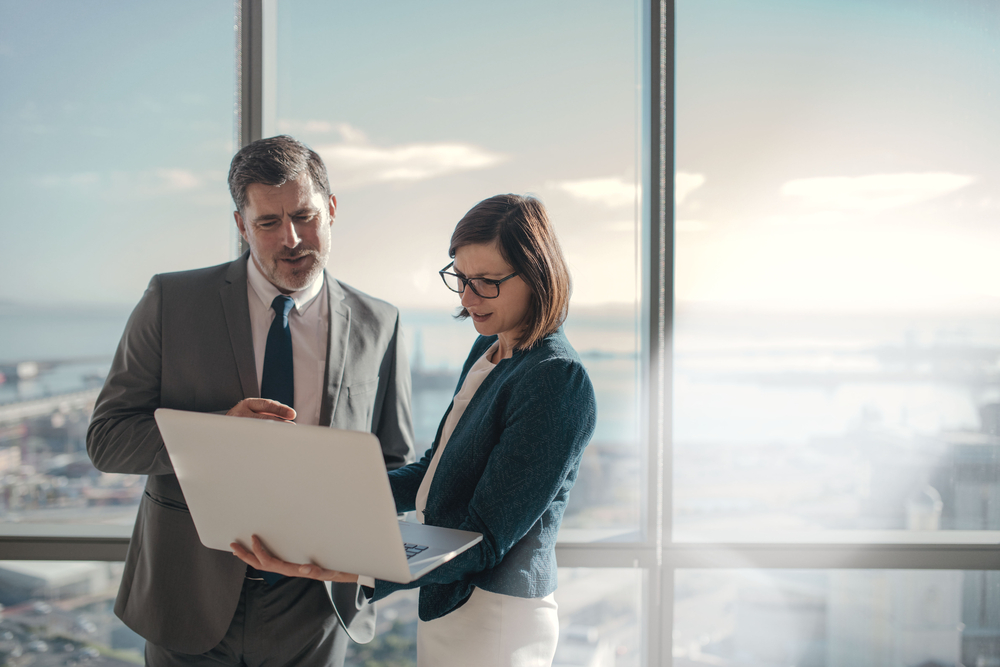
(422, 111)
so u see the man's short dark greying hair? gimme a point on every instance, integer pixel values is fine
(274, 161)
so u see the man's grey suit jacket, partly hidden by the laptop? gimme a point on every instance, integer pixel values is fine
(188, 345)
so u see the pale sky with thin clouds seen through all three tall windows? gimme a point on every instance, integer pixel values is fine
(830, 155)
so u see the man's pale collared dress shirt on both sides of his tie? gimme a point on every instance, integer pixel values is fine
(309, 322)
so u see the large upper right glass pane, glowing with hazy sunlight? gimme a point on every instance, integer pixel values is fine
(837, 322)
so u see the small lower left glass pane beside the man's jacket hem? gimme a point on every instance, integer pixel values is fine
(61, 613)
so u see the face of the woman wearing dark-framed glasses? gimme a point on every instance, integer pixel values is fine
(504, 315)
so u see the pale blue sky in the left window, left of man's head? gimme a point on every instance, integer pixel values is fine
(119, 117)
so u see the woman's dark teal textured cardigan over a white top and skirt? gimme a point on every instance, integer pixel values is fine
(506, 473)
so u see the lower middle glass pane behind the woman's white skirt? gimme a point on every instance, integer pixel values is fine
(598, 622)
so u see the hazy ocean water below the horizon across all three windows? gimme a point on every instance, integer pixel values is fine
(737, 380)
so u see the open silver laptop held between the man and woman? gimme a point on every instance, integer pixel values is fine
(313, 494)
